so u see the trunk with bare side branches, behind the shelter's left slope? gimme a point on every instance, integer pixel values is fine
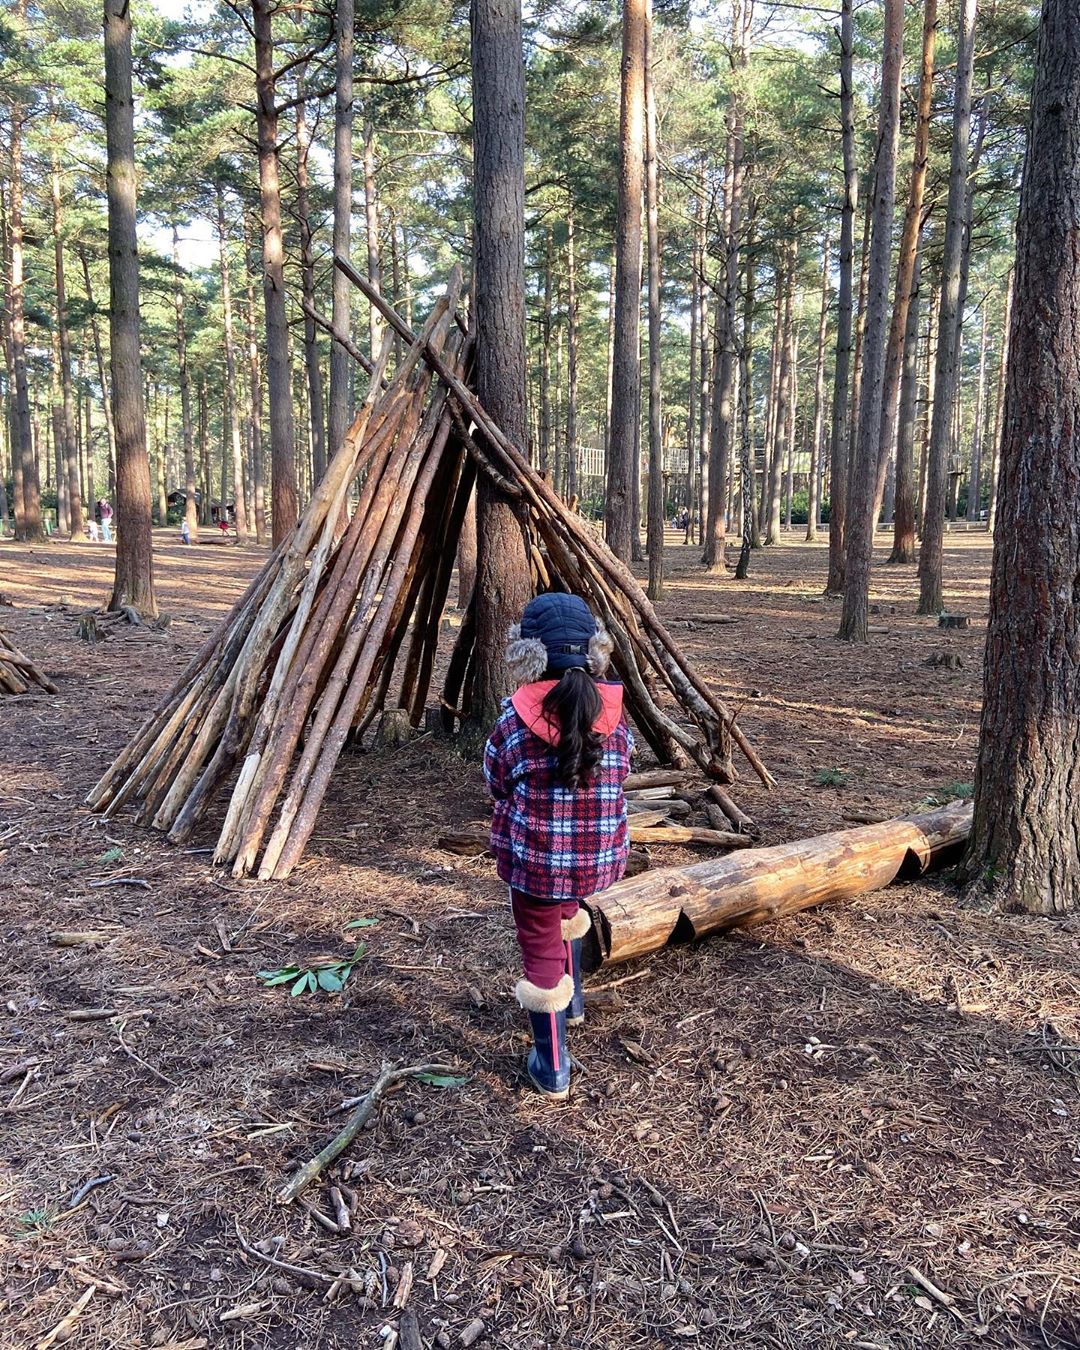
(283, 435)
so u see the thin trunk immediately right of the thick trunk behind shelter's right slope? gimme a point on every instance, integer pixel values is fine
(657, 514)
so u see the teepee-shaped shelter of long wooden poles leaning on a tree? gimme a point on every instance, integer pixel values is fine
(306, 661)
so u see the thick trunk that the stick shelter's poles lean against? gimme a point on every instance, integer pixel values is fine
(499, 159)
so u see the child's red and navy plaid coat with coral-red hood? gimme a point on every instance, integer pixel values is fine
(549, 842)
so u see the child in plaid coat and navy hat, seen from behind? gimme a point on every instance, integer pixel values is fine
(556, 766)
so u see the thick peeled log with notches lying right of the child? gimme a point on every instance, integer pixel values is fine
(682, 904)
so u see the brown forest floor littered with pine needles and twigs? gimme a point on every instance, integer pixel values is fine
(770, 1133)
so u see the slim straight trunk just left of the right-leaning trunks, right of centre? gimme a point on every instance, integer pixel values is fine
(840, 437)
